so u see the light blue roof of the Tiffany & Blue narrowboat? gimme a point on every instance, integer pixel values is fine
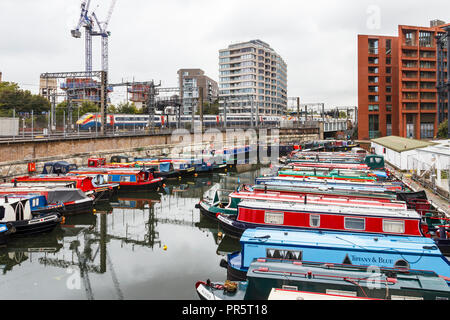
(340, 240)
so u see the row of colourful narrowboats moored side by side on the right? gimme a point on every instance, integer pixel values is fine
(319, 214)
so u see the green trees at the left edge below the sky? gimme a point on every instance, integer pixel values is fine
(12, 97)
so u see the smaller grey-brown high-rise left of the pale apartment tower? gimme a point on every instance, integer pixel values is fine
(189, 81)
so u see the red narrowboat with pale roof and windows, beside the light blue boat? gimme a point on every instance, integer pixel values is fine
(324, 216)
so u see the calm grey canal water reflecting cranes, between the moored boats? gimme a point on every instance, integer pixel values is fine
(138, 246)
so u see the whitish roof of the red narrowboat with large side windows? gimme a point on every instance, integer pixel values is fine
(394, 213)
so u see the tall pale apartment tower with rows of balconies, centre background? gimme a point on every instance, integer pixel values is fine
(252, 75)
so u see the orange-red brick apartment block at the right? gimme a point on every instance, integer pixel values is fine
(397, 92)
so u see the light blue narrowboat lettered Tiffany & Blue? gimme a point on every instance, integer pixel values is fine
(381, 250)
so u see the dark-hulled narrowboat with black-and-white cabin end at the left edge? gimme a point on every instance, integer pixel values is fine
(17, 212)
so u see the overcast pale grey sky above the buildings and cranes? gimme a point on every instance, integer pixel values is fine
(151, 40)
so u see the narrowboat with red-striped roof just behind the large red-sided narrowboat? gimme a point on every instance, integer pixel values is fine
(211, 205)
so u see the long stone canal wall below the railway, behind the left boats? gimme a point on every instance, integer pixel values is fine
(14, 157)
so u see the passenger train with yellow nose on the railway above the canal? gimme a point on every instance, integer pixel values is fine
(129, 121)
